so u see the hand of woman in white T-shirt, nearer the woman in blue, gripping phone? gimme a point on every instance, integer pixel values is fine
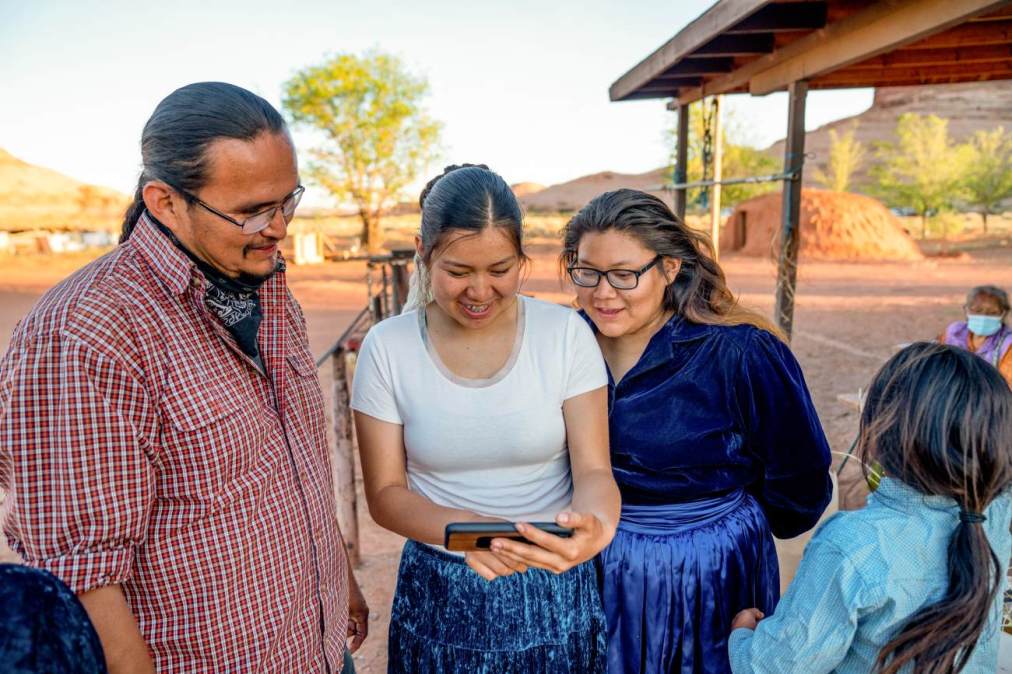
(552, 553)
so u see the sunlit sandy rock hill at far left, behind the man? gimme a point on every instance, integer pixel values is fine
(36, 198)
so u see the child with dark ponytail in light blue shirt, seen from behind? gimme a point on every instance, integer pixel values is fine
(914, 581)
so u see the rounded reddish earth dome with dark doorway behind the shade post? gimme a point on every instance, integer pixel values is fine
(835, 226)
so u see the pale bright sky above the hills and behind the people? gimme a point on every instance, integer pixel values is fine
(521, 87)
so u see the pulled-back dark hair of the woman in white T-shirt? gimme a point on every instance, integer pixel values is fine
(469, 198)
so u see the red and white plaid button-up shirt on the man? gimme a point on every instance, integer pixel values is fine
(139, 446)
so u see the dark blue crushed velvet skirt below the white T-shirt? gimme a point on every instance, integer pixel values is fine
(448, 619)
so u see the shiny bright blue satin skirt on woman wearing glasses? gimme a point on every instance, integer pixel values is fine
(677, 575)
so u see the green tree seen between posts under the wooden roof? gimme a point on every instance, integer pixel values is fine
(739, 160)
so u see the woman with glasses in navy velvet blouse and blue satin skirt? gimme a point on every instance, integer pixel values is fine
(715, 442)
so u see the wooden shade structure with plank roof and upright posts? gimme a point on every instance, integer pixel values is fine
(758, 47)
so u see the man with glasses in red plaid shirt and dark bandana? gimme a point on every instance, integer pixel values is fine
(162, 433)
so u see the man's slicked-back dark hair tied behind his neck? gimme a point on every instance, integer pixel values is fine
(177, 138)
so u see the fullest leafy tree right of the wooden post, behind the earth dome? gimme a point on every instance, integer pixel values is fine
(923, 171)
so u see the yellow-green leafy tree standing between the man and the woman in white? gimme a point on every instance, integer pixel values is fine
(377, 137)
